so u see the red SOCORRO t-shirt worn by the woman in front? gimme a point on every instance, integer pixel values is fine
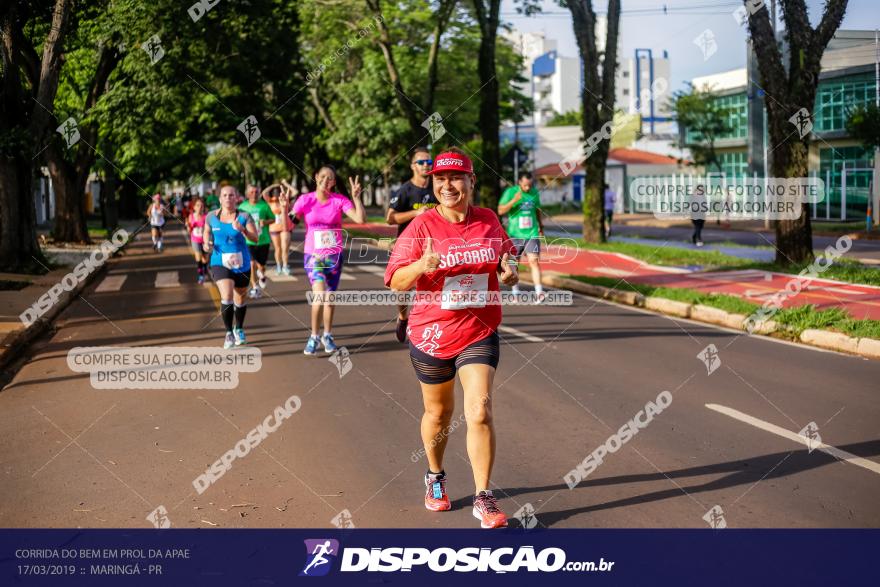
(470, 252)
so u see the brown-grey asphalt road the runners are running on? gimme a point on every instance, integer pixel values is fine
(570, 376)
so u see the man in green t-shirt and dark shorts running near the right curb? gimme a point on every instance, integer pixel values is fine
(525, 226)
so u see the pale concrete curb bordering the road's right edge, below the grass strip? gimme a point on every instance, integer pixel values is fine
(826, 339)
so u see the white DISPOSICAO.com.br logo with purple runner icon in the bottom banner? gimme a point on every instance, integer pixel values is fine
(440, 560)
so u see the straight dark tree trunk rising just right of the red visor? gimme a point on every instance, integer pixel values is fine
(490, 166)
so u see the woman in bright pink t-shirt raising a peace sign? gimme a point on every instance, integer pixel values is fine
(322, 211)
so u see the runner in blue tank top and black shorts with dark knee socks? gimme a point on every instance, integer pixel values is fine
(225, 239)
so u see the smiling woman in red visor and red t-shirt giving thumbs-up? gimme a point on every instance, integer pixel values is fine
(455, 255)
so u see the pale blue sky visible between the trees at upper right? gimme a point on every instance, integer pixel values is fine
(643, 25)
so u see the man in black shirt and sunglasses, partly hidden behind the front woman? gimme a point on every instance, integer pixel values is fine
(414, 197)
